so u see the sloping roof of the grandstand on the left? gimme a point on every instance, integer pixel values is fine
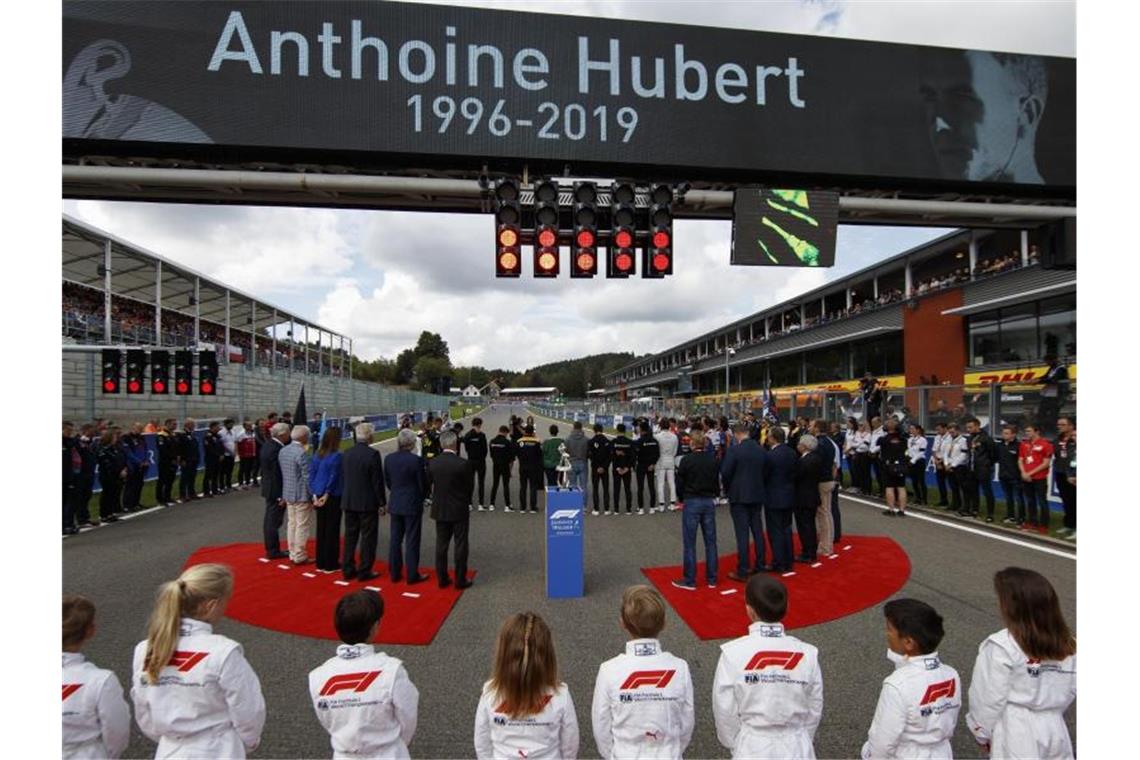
(134, 272)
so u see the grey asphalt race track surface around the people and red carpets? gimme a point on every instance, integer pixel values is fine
(120, 567)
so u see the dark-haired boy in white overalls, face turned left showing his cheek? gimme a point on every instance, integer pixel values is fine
(921, 701)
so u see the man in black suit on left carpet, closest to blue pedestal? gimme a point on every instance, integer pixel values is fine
(451, 480)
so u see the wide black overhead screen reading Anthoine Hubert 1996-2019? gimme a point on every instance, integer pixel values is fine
(388, 84)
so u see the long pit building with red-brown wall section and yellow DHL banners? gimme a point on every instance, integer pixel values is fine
(968, 309)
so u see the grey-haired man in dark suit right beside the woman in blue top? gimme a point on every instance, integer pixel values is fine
(363, 503)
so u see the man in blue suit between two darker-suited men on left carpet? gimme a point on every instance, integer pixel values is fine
(408, 483)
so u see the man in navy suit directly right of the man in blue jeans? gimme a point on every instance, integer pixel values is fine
(743, 475)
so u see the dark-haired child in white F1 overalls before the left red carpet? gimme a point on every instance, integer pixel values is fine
(363, 698)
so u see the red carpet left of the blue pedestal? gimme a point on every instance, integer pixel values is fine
(298, 600)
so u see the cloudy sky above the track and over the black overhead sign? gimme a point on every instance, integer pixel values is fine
(382, 277)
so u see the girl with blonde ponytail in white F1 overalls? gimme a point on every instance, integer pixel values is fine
(194, 692)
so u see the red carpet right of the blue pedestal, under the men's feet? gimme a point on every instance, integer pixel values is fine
(870, 571)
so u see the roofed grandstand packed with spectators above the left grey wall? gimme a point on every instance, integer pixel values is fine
(118, 293)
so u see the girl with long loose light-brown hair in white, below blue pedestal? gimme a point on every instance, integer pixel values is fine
(526, 710)
